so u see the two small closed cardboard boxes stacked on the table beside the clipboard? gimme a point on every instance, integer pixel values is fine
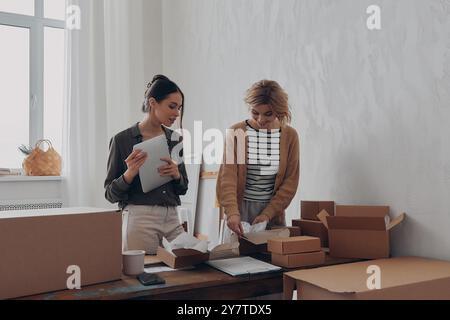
(296, 252)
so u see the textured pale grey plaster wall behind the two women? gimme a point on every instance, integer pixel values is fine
(372, 107)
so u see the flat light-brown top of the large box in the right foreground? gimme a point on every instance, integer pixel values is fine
(354, 277)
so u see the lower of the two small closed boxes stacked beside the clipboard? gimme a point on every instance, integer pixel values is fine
(299, 260)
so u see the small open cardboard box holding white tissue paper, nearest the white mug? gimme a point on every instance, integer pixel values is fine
(181, 258)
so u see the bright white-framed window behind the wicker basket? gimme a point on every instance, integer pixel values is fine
(31, 75)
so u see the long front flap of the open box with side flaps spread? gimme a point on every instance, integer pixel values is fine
(356, 223)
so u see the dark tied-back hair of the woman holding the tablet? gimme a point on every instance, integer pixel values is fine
(159, 88)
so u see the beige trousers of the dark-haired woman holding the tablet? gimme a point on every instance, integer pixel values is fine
(144, 227)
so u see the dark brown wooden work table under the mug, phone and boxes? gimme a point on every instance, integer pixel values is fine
(199, 283)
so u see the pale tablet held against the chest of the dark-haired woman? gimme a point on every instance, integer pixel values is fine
(156, 148)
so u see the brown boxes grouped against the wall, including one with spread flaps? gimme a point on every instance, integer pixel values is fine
(349, 231)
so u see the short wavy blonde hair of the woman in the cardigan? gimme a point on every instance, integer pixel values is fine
(271, 93)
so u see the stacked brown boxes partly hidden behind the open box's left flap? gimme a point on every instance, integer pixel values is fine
(310, 223)
